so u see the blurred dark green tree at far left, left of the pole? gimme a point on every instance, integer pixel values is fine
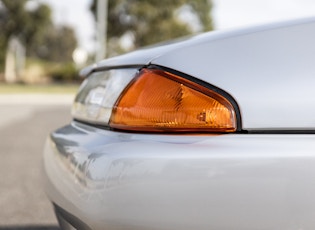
(33, 26)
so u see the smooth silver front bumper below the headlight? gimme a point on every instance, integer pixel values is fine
(112, 180)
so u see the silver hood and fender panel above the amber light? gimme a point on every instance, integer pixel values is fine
(268, 70)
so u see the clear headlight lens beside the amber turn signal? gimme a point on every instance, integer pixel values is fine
(98, 94)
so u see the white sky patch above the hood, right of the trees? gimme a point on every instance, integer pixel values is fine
(240, 13)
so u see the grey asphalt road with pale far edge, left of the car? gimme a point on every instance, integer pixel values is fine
(24, 126)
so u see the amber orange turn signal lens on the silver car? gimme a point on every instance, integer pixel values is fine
(159, 101)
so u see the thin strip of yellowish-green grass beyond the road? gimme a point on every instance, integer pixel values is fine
(29, 89)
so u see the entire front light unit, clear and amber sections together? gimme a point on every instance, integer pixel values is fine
(153, 100)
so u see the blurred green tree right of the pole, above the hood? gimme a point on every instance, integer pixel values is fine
(152, 21)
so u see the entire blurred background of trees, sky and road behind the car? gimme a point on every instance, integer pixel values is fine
(43, 45)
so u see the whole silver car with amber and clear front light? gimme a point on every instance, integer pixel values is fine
(212, 132)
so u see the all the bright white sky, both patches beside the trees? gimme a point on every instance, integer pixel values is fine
(227, 14)
